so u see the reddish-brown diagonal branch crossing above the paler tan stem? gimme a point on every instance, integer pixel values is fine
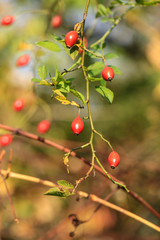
(66, 150)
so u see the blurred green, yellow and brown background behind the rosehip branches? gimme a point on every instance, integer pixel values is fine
(131, 123)
